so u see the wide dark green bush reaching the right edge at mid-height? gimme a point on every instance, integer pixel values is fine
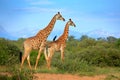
(101, 56)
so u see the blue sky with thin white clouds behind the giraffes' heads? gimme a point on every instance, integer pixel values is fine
(24, 18)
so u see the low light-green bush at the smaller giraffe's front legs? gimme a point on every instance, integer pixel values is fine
(70, 65)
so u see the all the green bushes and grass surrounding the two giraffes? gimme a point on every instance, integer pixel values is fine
(84, 56)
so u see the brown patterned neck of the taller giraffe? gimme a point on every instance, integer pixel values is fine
(46, 31)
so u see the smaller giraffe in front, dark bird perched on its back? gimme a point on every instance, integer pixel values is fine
(58, 45)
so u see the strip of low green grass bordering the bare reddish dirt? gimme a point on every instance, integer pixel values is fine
(112, 73)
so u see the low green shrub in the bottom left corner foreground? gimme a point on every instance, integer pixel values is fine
(15, 74)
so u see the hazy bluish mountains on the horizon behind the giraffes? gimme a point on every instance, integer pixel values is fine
(25, 33)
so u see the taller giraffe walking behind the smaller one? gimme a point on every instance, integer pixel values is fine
(38, 41)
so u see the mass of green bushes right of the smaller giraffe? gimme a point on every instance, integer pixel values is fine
(81, 54)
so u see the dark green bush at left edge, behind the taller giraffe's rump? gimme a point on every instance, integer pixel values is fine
(9, 53)
